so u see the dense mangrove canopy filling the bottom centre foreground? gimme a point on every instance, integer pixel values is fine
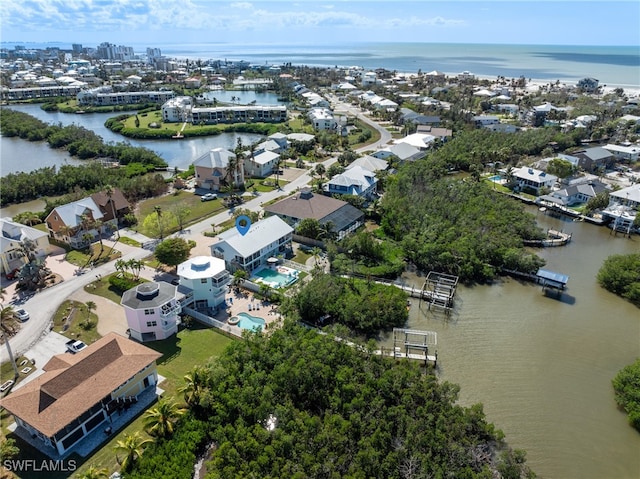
(297, 404)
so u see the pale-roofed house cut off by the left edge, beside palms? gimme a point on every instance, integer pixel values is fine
(12, 239)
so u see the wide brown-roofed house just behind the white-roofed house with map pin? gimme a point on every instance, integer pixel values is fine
(344, 217)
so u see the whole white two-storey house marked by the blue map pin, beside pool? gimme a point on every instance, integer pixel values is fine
(270, 237)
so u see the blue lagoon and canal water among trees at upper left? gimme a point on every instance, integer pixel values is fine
(20, 155)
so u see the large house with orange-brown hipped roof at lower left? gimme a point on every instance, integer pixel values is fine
(78, 393)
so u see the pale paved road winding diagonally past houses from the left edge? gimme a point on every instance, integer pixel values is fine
(43, 305)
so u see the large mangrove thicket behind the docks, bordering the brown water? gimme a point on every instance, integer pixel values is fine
(457, 227)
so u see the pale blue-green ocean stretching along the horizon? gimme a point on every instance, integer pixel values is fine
(611, 65)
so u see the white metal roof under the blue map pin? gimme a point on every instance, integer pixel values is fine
(260, 235)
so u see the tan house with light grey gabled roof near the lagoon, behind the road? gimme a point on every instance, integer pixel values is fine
(212, 169)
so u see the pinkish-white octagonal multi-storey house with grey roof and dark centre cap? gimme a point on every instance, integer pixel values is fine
(151, 310)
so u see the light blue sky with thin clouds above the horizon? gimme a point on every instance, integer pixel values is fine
(149, 22)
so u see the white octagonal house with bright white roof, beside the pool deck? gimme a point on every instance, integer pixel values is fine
(207, 279)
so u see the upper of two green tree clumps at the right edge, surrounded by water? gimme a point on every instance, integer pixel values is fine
(620, 274)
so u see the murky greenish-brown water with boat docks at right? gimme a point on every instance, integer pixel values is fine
(542, 367)
